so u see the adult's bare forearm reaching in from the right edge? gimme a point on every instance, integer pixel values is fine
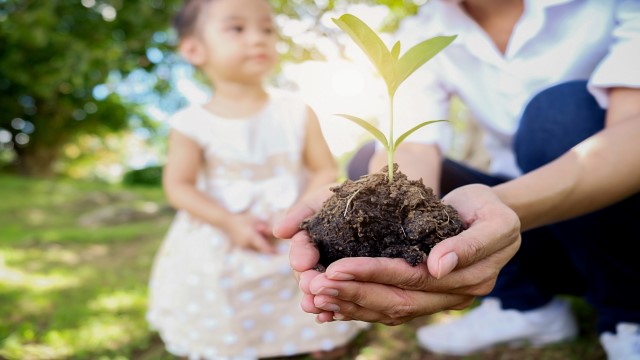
(596, 173)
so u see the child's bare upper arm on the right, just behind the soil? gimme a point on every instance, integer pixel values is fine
(317, 157)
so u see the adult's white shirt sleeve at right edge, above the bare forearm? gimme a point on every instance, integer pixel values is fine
(621, 66)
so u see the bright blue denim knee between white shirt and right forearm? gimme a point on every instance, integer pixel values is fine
(555, 120)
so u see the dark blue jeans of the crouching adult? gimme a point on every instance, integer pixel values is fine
(595, 255)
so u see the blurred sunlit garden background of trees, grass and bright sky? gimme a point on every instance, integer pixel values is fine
(86, 87)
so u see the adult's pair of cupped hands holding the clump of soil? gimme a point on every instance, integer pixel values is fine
(392, 292)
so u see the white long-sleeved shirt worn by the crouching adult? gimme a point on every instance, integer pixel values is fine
(554, 41)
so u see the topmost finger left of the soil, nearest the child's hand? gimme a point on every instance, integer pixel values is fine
(286, 227)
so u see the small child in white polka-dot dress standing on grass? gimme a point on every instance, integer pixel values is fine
(221, 286)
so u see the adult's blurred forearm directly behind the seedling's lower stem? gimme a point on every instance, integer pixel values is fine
(417, 161)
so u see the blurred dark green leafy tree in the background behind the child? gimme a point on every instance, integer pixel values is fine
(58, 59)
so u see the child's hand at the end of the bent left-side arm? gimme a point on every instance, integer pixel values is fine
(248, 232)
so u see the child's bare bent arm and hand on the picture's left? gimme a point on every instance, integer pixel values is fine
(179, 182)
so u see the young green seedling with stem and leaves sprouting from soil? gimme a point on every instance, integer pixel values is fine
(393, 69)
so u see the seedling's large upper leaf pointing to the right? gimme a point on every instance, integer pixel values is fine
(419, 55)
